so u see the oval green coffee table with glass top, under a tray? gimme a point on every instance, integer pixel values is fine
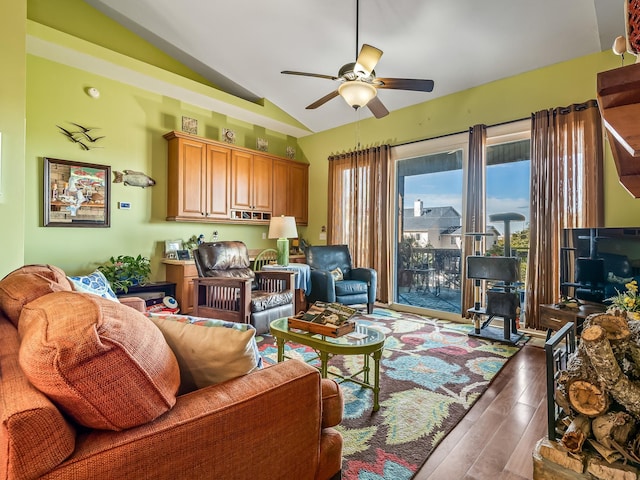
(370, 346)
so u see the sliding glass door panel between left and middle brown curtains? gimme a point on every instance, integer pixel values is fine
(429, 224)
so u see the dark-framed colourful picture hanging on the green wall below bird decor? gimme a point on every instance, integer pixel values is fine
(76, 194)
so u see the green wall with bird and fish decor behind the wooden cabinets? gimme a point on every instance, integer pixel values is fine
(133, 122)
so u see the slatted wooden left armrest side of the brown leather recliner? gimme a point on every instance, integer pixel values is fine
(224, 298)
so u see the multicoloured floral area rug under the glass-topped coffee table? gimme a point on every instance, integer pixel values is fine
(431, 375)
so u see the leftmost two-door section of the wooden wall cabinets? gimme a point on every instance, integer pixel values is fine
(198, 179)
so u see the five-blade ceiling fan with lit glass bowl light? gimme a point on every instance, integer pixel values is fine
(359, 84)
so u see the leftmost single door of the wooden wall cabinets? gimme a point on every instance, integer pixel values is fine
(188, 198)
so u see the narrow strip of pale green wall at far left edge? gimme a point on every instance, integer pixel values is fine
(12, 127)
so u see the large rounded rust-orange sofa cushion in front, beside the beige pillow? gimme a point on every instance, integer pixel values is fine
(105, 364)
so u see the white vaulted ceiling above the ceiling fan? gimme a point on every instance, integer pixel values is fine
(243, 45)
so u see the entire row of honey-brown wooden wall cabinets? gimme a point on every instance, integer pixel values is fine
(211, 181)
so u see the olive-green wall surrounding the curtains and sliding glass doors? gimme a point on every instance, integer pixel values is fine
(501, 101)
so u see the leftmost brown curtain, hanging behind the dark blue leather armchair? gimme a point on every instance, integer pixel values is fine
(360, 192)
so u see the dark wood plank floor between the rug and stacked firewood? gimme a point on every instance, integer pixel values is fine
(494, 441)
